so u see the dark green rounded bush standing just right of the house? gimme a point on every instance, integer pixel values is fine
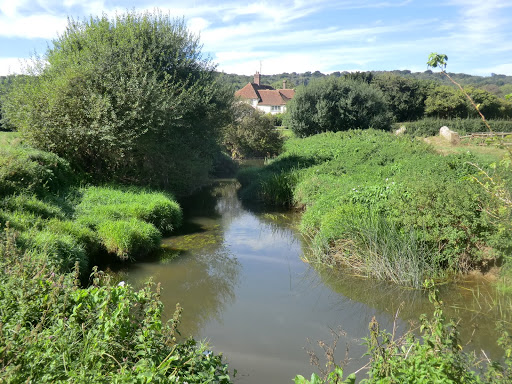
(337, 104)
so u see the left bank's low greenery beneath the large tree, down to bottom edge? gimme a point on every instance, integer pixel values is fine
(52, 327)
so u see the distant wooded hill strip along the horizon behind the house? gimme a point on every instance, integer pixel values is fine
(500, 85)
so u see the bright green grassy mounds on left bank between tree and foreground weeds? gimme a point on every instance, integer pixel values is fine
(43, 203)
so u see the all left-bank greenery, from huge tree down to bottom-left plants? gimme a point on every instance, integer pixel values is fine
(112, 104)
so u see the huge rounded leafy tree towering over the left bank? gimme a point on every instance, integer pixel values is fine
(130, 98)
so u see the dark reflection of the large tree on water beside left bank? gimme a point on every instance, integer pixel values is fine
(196, 268)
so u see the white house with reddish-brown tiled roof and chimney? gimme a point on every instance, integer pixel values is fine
(264, 97)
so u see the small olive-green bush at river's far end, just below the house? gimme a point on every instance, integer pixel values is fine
(250, 134)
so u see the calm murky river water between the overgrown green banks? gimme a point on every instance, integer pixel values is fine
(239, 276)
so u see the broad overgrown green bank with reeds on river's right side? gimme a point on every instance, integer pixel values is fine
(389, 207)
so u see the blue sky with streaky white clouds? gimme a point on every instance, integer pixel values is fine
(296, 35)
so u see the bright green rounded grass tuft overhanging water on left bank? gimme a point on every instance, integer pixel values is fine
(128, 238)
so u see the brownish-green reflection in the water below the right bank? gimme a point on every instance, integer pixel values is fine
(477, 319)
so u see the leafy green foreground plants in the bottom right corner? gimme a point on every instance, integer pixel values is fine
(433, 356)
